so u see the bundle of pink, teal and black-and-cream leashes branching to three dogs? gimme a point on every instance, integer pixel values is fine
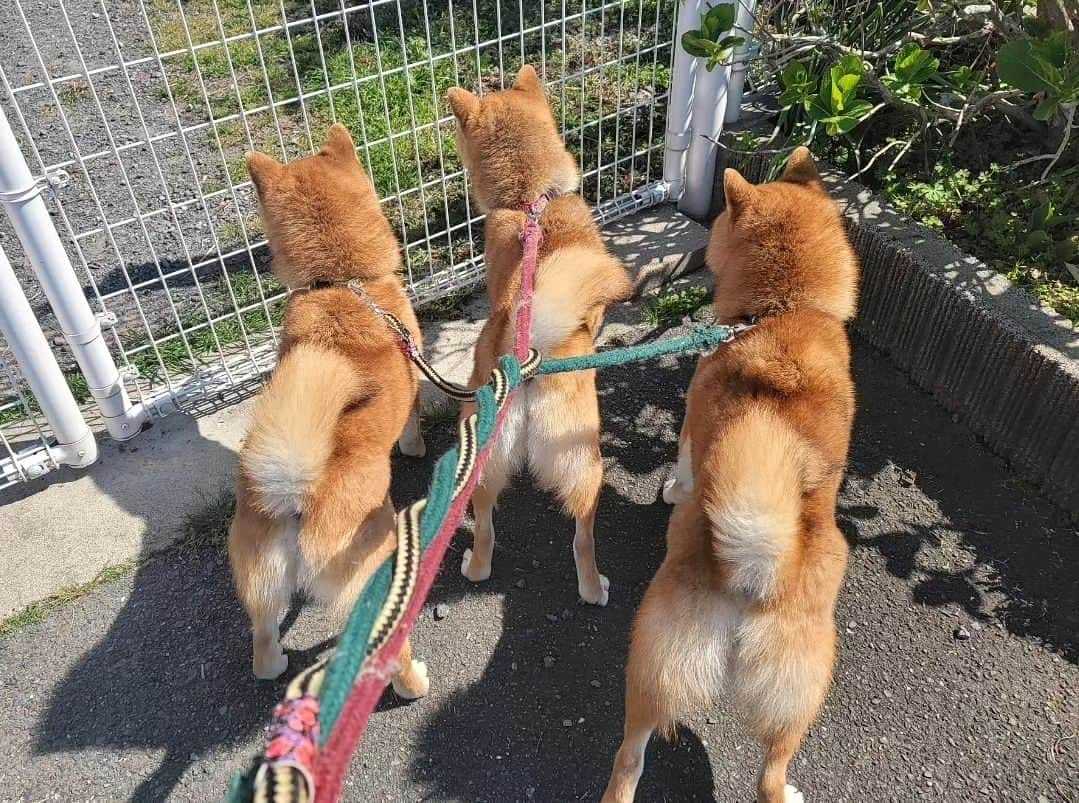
(330, 704)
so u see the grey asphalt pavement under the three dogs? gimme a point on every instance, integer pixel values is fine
(958, 677)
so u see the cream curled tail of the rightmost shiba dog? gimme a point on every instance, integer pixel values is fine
(753, 491)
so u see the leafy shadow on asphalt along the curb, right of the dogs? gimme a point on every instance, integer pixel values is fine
(1017, 552)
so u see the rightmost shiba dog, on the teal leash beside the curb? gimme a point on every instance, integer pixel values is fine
(755, 561)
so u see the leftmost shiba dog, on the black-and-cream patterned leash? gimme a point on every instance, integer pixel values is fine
(313, 506)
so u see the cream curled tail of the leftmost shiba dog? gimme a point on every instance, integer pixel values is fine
(295, 420)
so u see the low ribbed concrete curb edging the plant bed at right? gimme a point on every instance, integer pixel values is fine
(986, 349)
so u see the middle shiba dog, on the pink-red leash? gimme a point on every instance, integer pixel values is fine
(511, 146)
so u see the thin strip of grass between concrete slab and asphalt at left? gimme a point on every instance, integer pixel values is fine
(207, 528)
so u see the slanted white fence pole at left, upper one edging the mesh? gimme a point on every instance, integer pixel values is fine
(21, 197)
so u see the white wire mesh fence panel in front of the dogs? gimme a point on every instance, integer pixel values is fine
(151, 105)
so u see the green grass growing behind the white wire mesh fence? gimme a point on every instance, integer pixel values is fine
(391, 94)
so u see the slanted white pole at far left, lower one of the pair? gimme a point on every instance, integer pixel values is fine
(75, 443)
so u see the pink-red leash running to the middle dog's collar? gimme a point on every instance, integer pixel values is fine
(337, 753)
